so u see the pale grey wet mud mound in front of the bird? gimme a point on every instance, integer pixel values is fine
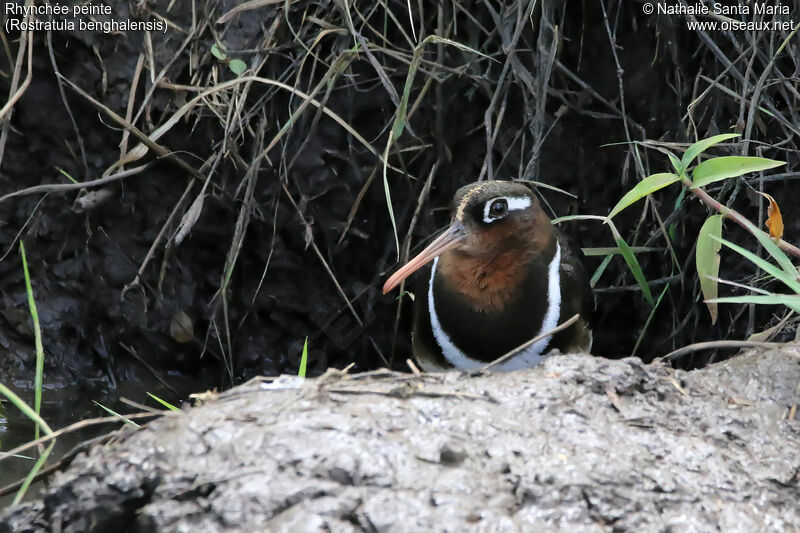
(579, 443)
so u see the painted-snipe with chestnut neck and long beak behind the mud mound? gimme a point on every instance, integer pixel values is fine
(500, 275)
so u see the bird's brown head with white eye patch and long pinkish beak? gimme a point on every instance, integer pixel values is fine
(488, 218)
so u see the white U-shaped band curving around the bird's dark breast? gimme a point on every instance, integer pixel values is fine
(526, 358)
